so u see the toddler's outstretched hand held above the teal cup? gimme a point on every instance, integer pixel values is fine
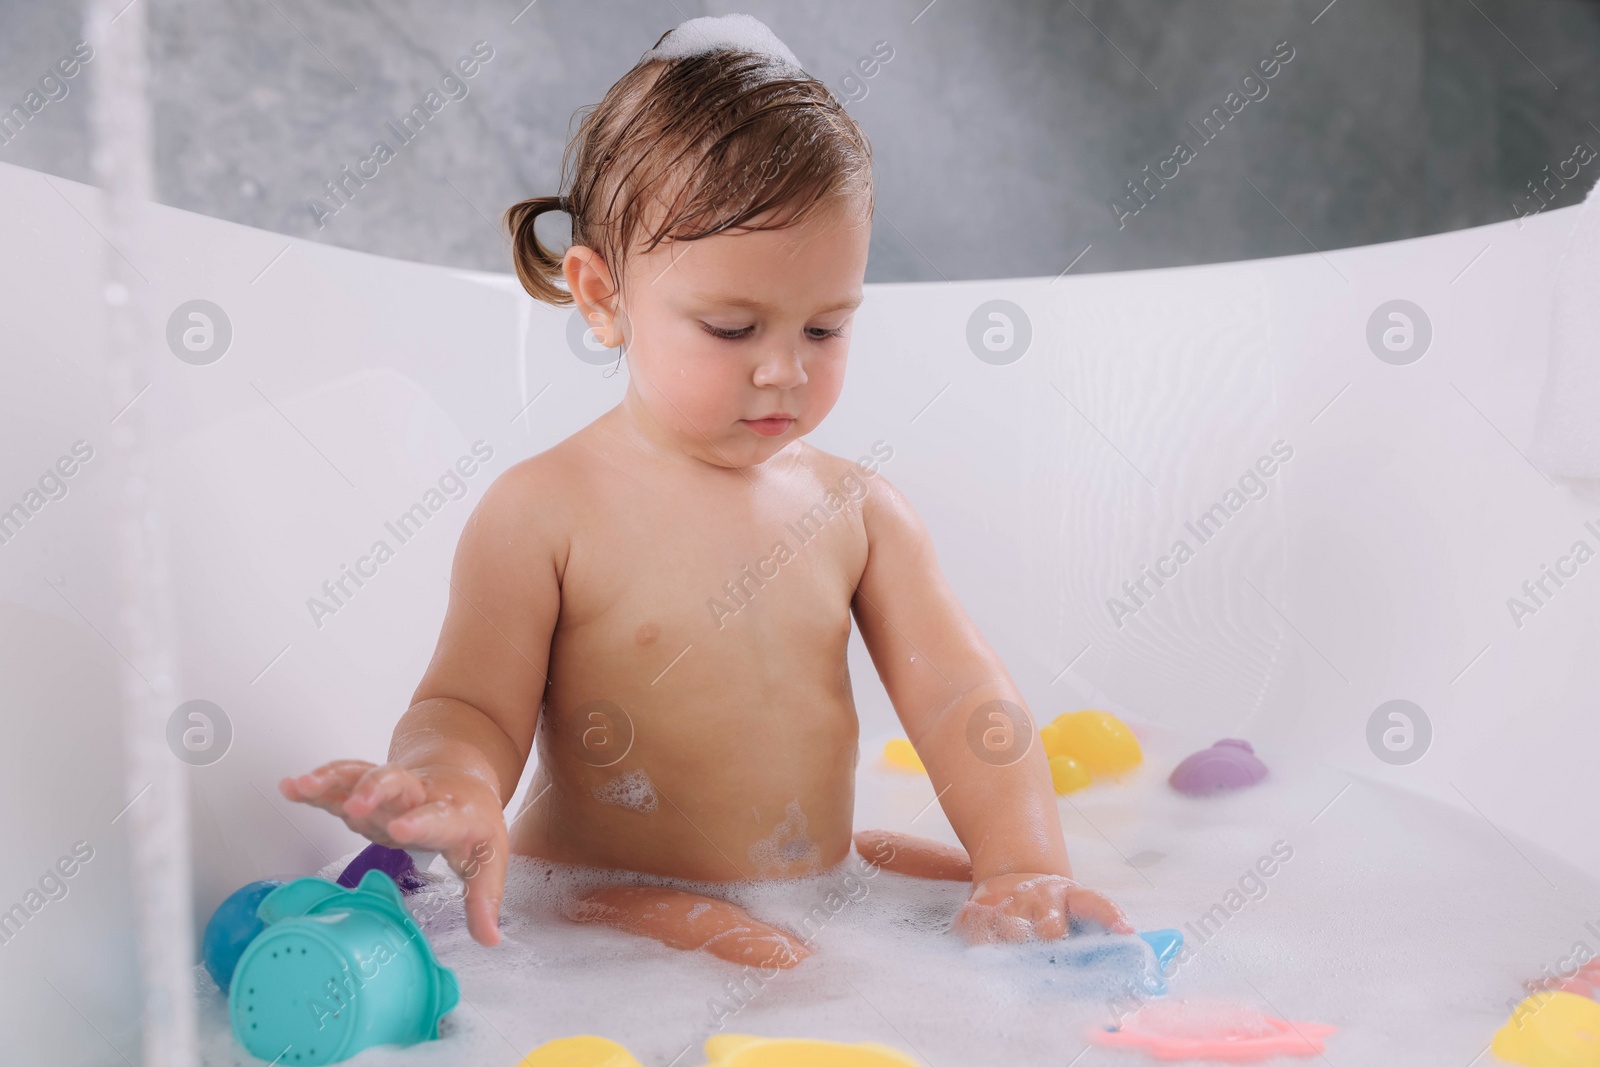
(441, 809)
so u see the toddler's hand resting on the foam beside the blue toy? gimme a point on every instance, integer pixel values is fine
(1014, 908)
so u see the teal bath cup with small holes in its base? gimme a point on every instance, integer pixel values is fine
(337, 972)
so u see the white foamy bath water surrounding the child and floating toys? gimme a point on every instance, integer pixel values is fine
(1407, 925)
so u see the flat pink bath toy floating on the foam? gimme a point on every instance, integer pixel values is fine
(1209, 1031)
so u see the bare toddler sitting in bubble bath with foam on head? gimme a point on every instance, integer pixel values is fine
(663, 601)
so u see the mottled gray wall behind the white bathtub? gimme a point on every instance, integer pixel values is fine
(1002, 130)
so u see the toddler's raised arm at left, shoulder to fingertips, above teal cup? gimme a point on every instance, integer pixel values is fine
(460, 749)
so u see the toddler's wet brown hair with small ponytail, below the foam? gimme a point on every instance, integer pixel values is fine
(705, 143)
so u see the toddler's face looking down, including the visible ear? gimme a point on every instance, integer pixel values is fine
(735, 343)
